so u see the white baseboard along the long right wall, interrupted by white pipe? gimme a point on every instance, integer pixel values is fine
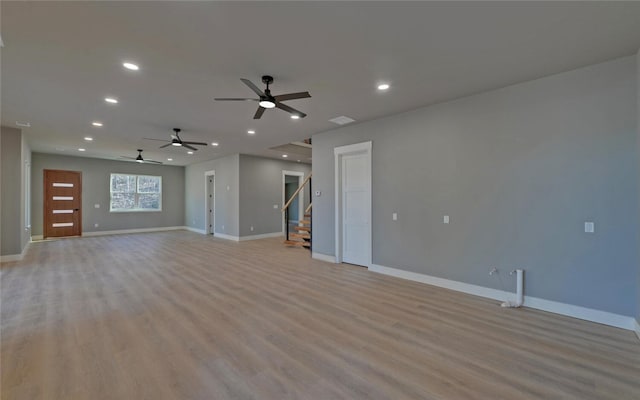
(601, 317)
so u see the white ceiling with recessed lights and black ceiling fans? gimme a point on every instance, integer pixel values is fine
(61, 59)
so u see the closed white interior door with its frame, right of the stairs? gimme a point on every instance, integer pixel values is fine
(354, 215)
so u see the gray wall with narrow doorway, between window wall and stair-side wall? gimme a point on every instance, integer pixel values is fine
(226, 194)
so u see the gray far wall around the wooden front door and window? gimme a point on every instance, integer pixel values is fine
(95, 190)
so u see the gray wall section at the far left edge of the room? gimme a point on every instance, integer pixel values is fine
(15, 156)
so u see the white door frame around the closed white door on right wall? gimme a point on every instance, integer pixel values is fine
(363, 148)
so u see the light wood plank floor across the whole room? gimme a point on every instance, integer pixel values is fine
(178, 315)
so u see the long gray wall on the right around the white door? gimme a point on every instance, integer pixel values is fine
(519, 170)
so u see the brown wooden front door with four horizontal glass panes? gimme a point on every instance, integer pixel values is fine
(62, 203)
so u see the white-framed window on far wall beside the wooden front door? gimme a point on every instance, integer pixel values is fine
(135, 193)
